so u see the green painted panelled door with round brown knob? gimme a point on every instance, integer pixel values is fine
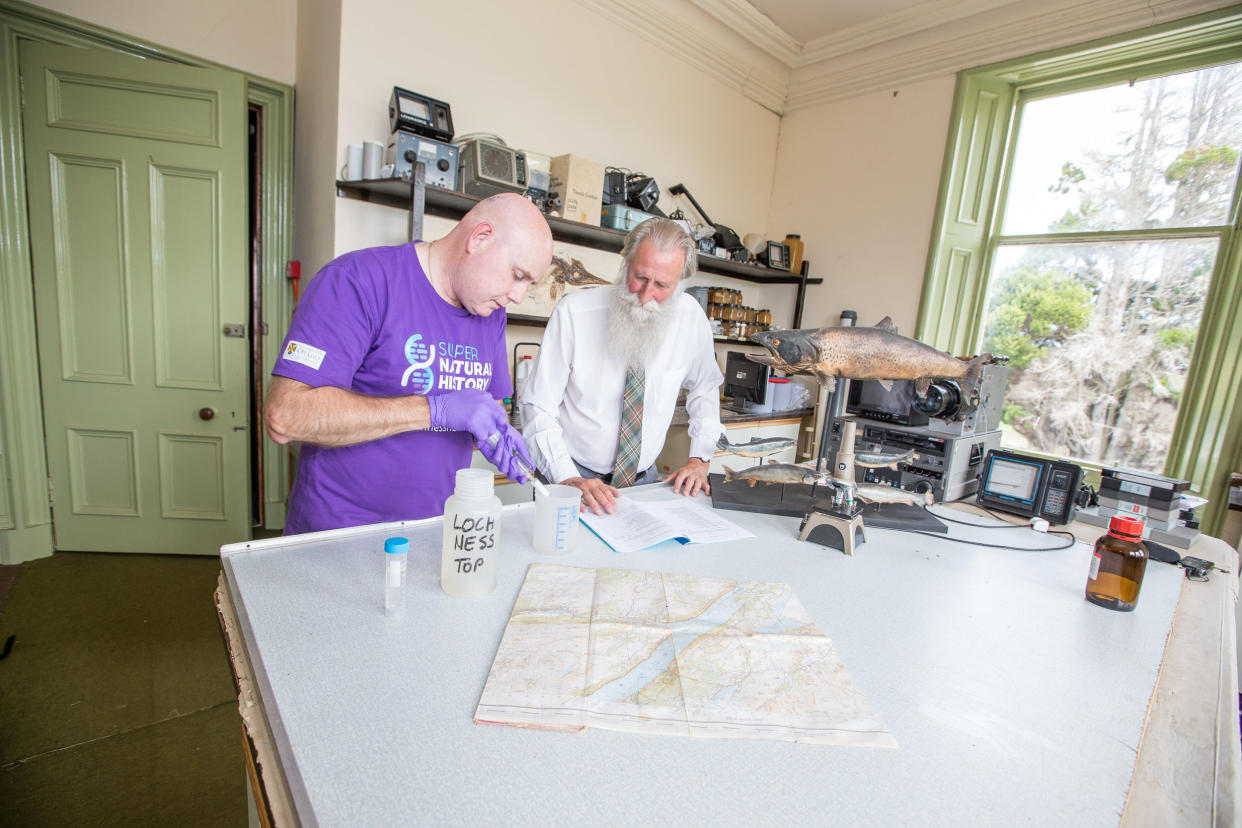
(136, 176)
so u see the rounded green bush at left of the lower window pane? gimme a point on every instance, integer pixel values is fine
(1035, 310)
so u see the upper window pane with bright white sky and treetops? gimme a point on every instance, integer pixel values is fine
(1158, 153)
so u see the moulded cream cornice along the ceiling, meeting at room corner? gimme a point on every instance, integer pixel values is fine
(748, 53)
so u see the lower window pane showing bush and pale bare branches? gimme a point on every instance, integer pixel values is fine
(1100, 340)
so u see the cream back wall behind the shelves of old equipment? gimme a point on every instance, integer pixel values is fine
(589, 88)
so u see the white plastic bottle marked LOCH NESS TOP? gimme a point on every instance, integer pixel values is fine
(469, 553)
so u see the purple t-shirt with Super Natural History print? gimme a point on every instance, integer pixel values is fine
(371, 322)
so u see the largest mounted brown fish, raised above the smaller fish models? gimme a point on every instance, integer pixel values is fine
(876, 353)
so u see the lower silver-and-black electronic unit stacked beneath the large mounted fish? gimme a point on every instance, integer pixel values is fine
(946, 466)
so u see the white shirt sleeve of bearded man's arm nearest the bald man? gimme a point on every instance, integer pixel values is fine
(541, 398)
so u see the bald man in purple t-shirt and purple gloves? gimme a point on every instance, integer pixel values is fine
(394, 367)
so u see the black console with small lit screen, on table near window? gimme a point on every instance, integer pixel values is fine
(1029, 486)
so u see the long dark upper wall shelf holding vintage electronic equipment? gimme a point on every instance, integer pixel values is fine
(450, 204)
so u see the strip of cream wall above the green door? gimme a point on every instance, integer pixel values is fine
(255, 38)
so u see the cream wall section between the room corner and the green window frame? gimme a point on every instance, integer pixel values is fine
(859, 181)
